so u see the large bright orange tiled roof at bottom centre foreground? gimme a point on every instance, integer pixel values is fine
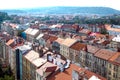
(67, 74)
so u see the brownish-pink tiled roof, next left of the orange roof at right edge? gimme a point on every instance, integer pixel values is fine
(104, 54)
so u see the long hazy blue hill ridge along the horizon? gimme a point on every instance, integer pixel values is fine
(65, 10)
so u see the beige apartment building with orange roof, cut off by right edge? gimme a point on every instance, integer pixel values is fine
(114, 67)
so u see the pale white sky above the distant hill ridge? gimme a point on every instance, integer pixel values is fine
(16, 4)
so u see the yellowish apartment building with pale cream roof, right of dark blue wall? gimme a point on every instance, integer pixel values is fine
(31, 62)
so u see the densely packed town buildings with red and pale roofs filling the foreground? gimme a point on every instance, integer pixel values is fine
(61, 52)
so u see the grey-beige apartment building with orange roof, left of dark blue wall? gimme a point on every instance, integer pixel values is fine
(11, 47)
